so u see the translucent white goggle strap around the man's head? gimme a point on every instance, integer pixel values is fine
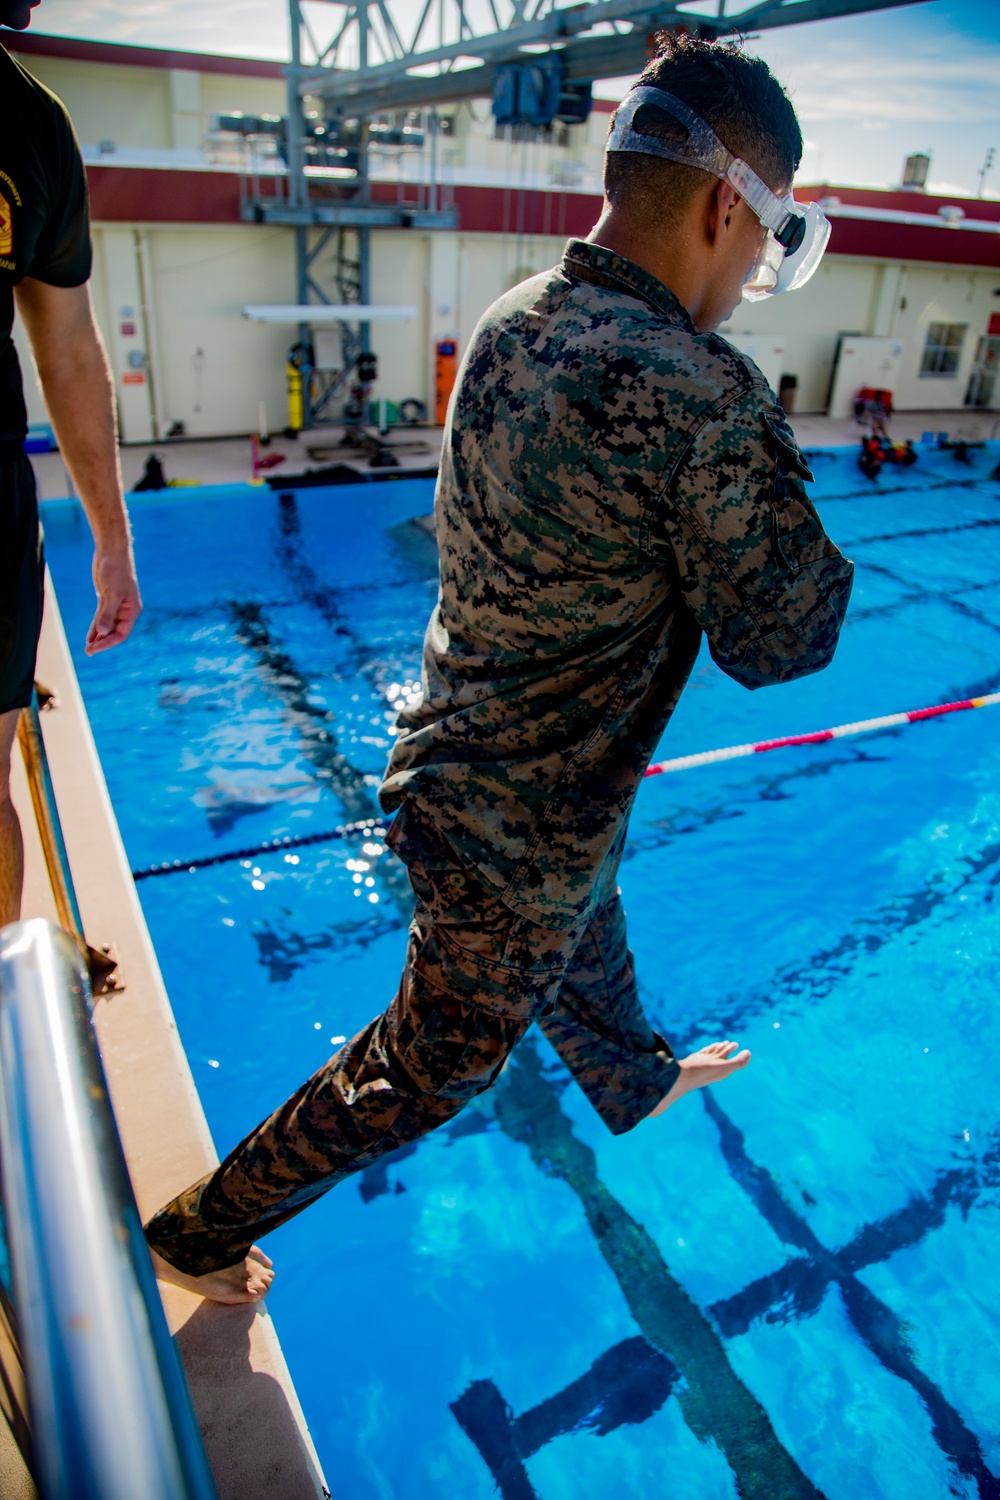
(704, 149)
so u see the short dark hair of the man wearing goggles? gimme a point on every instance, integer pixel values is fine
(735, 94)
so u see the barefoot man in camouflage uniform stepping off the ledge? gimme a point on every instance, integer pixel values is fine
(617, 482)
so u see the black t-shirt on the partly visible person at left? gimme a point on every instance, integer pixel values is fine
(44, 217)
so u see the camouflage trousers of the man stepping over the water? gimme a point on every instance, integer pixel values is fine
(476, 977)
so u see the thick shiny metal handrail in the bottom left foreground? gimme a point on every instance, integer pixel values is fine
(110, 1412)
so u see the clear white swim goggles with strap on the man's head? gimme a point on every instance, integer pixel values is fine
(797, 233)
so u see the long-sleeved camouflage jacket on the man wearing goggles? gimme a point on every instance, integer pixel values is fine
(612, 485)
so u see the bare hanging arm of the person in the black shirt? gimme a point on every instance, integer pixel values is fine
(77, 385)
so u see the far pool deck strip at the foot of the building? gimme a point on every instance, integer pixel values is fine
(227, 461)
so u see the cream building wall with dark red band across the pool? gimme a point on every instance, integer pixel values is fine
(170, 296)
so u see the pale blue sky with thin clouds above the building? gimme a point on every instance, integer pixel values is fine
(869, 89)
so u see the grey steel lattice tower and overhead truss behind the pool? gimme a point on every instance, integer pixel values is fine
(353, 61)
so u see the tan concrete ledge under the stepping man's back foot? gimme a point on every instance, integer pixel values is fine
(254, 1429)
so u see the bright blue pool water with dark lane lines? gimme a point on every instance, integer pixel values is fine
(794, 1282)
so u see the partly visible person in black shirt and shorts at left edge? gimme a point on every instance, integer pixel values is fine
(44, 269)
